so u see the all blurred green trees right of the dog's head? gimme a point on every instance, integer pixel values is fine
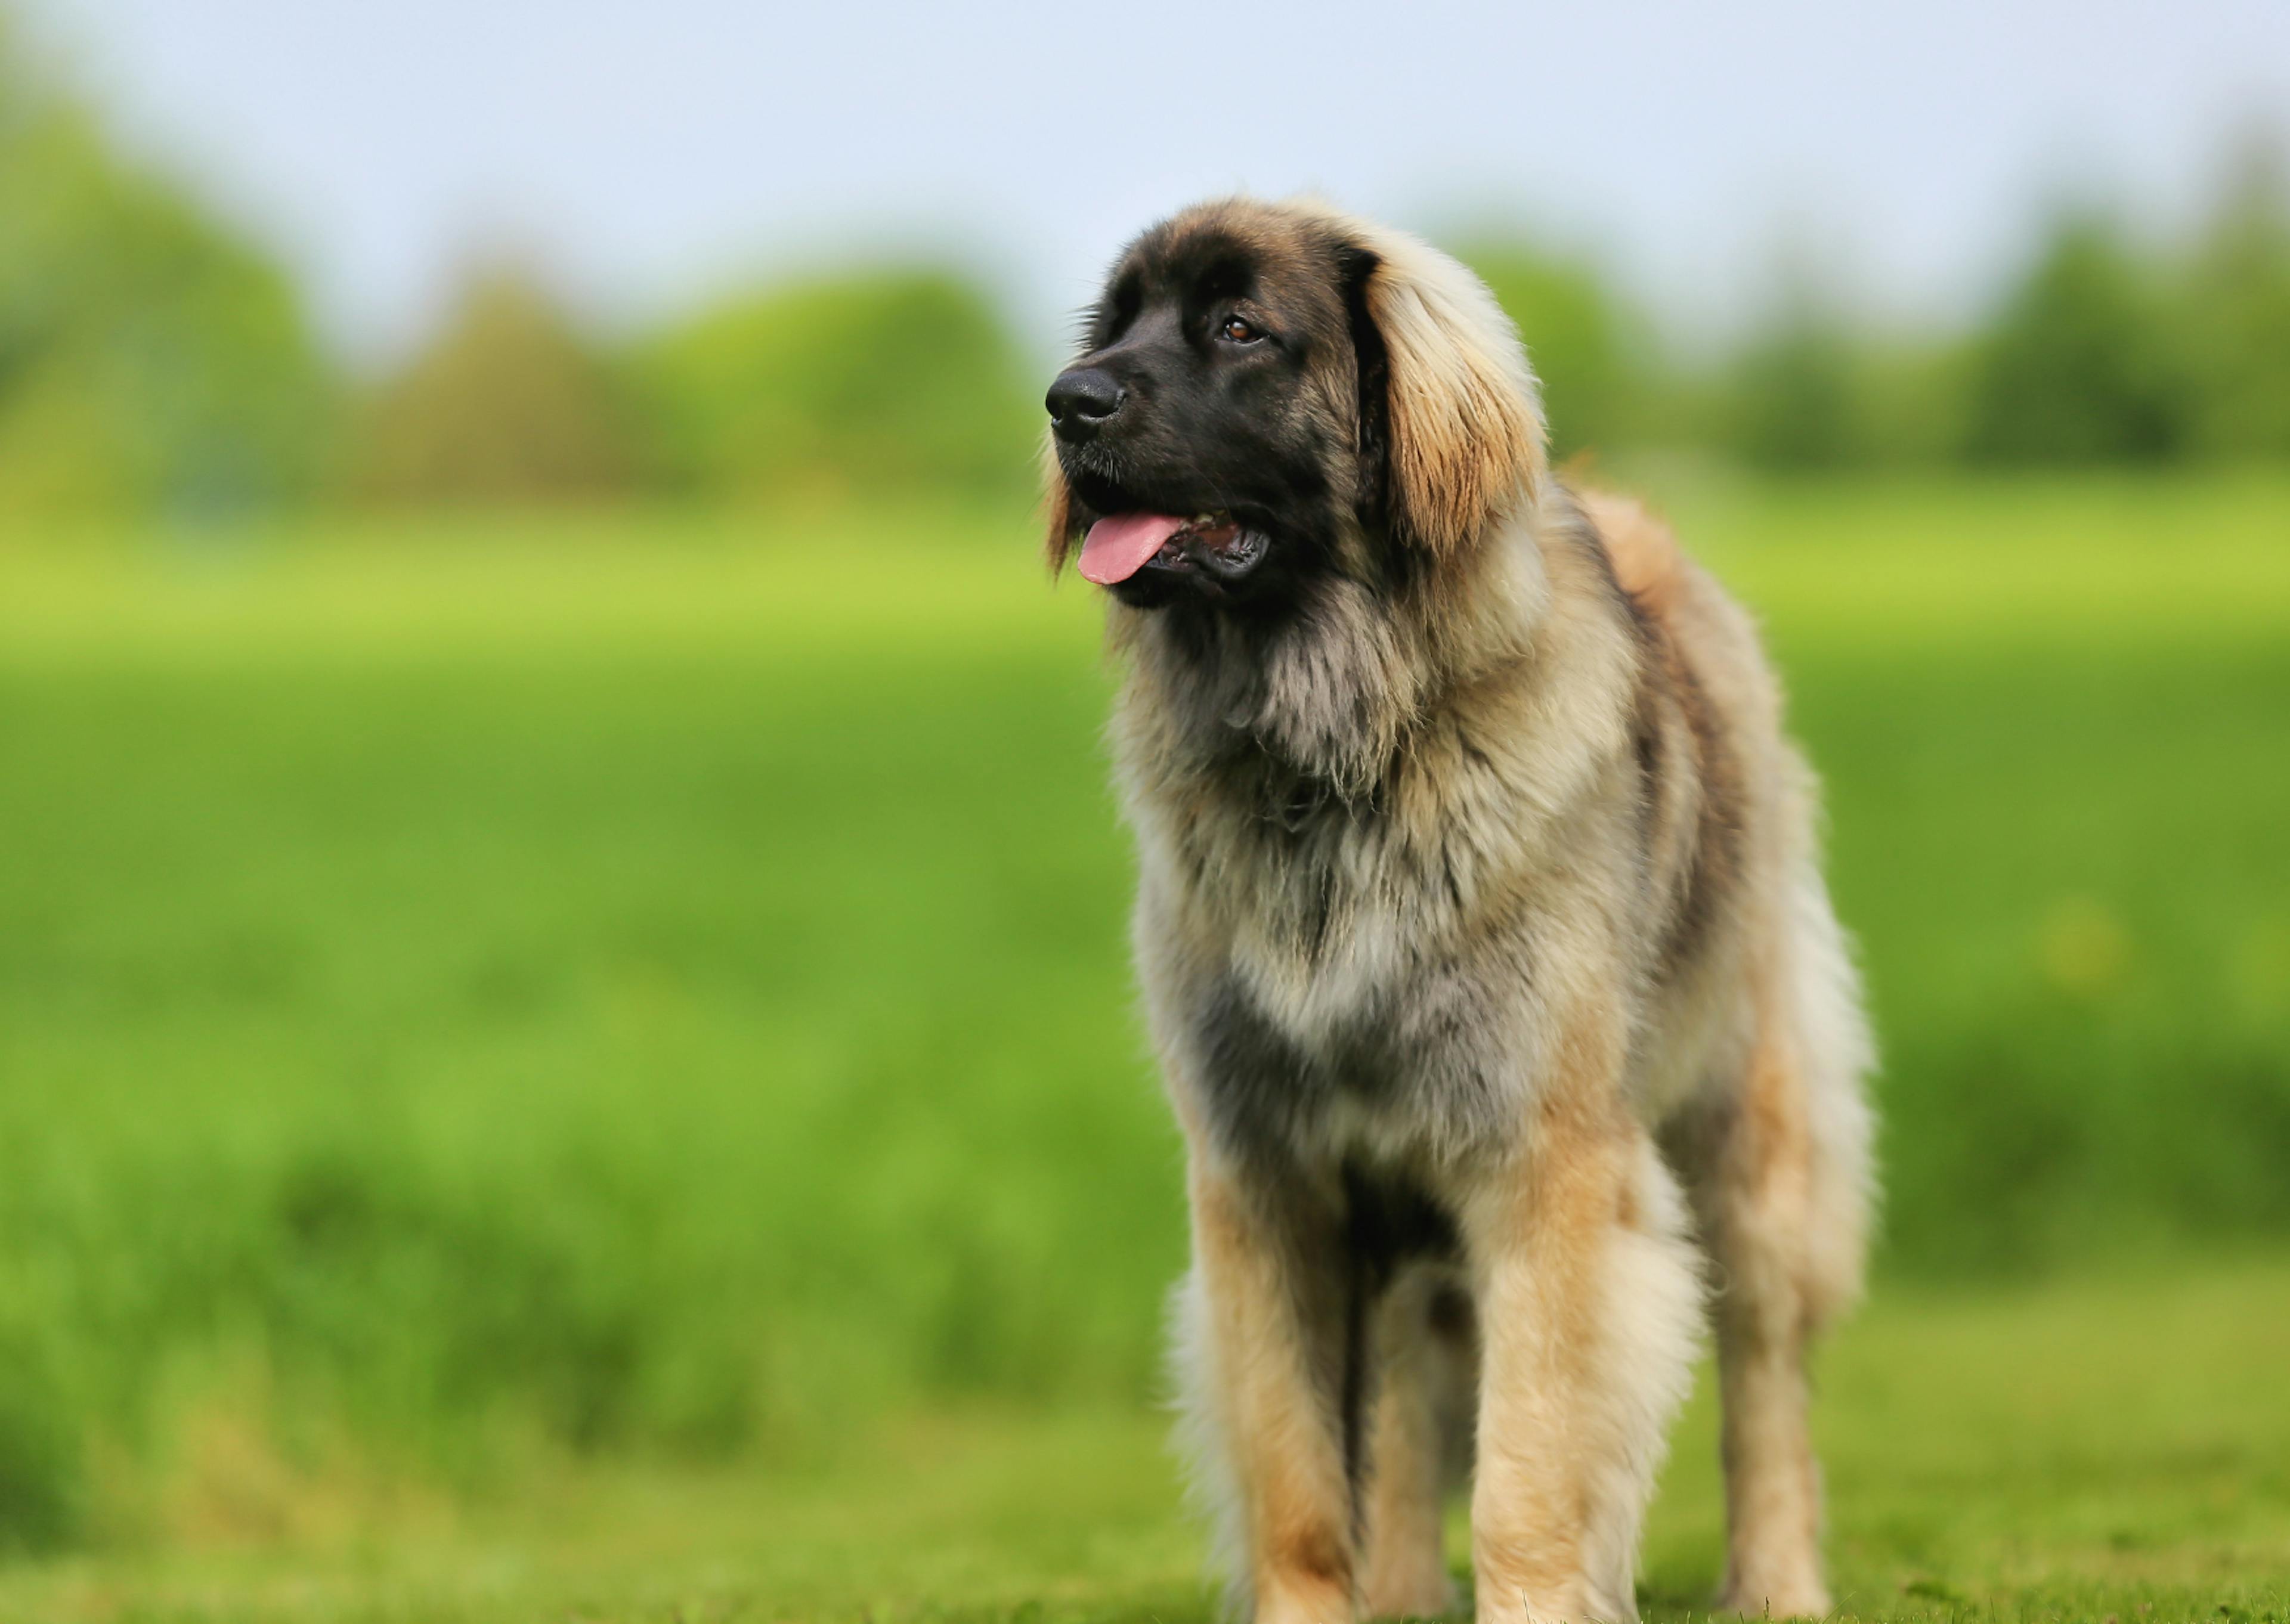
(2099, 352)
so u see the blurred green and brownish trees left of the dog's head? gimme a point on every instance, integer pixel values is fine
(152, 361)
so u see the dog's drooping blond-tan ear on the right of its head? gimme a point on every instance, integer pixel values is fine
(1462, 423)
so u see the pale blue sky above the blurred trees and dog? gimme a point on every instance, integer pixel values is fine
(656, 150)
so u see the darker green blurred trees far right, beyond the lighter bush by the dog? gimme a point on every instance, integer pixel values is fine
(2101, 352)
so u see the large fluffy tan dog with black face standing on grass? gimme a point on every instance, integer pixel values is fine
(1483, 938)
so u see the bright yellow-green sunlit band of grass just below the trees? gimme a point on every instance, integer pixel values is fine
(2142, 560)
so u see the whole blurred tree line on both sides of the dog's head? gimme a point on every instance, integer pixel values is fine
(155, 361)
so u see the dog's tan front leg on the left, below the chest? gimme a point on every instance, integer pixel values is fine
(1270, 1353)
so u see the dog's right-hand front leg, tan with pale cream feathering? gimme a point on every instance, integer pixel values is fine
(1590, 1311)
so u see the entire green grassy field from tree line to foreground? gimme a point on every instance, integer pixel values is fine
(526, 1043)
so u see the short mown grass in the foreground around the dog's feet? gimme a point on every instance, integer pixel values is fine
(2060, 1453)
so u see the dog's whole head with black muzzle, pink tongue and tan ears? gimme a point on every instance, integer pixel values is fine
(1272, 395)
